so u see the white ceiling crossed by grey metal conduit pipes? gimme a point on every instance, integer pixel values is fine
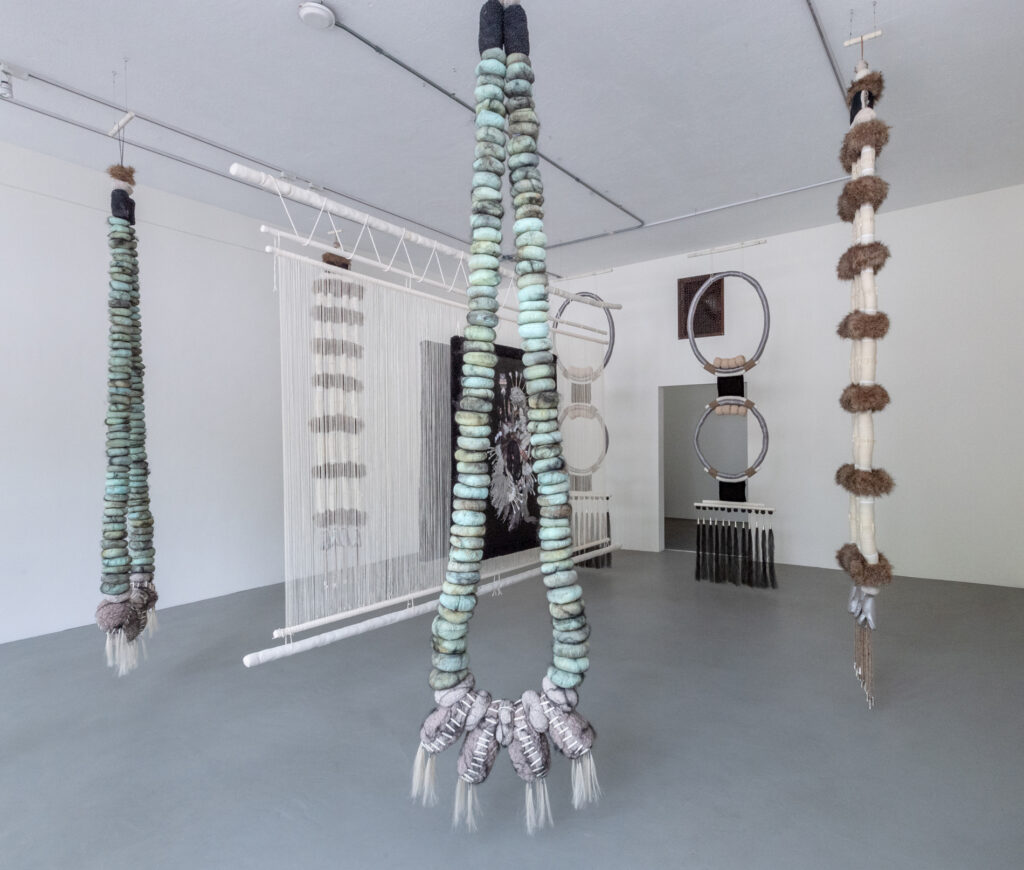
(668, 107)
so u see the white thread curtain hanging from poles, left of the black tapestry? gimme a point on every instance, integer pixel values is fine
(366, 415)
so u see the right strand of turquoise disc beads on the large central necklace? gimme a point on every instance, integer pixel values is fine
(570, 662)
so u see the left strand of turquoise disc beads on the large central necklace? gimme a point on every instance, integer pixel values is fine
(451, 660)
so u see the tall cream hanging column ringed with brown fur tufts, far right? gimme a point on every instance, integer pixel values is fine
(865, 325)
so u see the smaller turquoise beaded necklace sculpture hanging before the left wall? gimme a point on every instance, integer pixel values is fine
(126, 548)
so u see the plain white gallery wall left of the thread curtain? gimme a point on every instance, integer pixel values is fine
(211, 351)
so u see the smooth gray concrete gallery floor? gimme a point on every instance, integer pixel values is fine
(733, 734)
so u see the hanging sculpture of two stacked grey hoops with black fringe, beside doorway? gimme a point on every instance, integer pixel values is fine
(736, 539)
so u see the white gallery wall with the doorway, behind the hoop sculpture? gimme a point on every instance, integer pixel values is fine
(953, 364)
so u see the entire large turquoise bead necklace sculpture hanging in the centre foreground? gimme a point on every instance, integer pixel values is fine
(529, 725)
